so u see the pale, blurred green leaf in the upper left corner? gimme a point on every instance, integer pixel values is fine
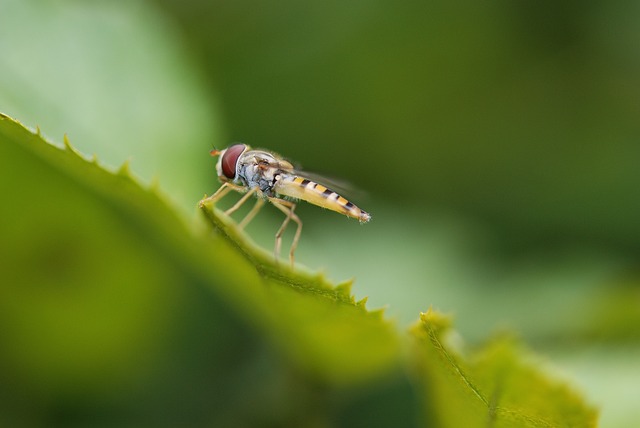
(115, 77)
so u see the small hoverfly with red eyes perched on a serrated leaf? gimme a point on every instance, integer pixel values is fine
(271, 178)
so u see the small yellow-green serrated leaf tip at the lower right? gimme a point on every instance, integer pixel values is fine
(498, 386)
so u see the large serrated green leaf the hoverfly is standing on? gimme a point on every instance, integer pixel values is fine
(108, 296)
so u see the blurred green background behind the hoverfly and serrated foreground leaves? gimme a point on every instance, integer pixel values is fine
(496, 143)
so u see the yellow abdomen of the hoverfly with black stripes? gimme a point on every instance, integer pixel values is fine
(317, 194)
